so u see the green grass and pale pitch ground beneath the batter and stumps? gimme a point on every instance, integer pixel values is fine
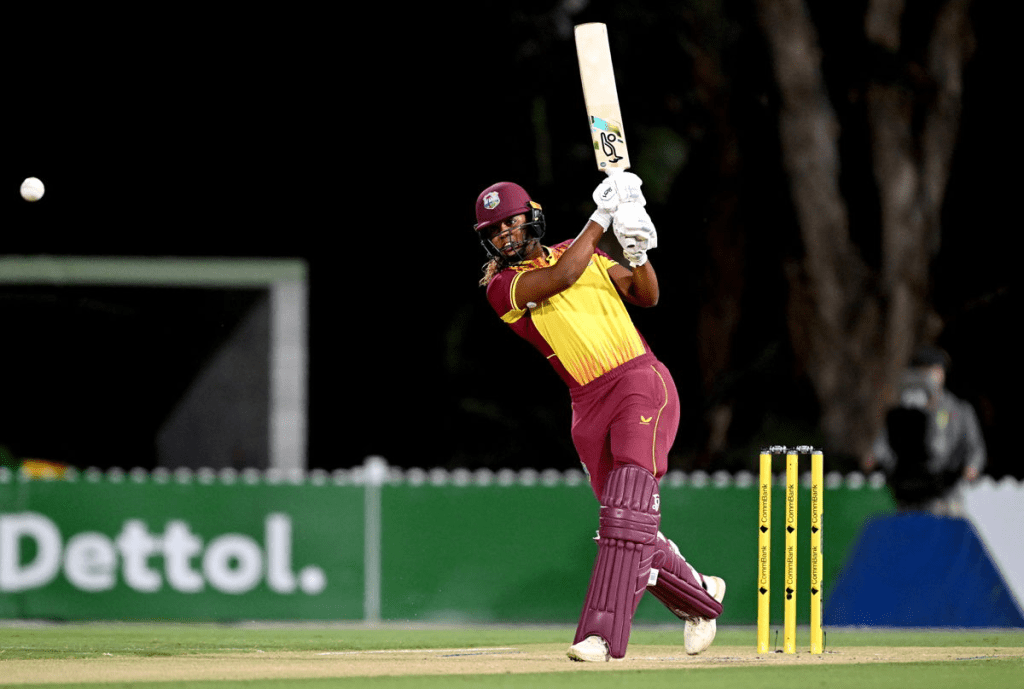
(266, 658)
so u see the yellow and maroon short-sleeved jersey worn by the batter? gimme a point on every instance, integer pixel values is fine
(584, 331)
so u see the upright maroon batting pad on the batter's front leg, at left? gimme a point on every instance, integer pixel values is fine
(626, 547)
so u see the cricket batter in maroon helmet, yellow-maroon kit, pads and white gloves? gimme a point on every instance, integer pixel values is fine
(567, 300)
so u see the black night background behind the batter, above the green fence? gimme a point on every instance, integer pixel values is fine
(359, 143)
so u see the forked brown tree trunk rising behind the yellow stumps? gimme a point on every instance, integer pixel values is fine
(855, 328)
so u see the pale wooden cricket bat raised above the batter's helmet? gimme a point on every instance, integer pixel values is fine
(602, 98)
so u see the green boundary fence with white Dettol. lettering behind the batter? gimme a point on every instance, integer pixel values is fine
(368, 544)
